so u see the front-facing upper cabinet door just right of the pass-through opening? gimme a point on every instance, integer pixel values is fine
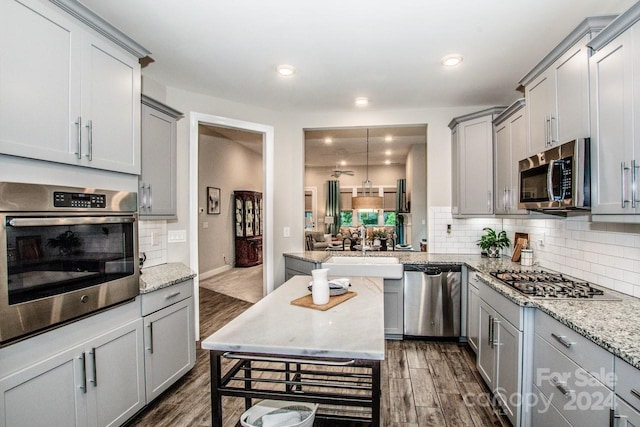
(475, 151)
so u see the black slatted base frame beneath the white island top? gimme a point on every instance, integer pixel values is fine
(348, 390)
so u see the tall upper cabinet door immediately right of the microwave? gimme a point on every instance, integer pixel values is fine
(612, 126)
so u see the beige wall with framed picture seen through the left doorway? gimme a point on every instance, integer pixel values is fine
(228, 166)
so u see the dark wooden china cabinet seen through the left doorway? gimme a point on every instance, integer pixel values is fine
(248, 229)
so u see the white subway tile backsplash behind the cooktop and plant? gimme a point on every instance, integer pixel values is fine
(602, 253)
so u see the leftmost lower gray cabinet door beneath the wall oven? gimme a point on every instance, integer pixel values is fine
(49, 393)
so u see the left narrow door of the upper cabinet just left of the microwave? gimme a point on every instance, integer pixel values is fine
(502, 167)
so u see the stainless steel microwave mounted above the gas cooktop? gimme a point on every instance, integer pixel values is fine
(557, 180)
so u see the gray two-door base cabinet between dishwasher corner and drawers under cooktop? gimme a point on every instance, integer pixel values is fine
(504, 335)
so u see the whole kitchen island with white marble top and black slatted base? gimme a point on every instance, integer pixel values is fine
(276, 350)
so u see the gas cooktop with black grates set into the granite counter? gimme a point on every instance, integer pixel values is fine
(550, 285)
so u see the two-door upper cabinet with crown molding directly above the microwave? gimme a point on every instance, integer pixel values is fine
(557, 90)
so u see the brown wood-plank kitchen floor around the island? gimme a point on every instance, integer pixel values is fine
(423, 383)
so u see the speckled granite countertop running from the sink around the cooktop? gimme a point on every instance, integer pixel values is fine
(613, 325)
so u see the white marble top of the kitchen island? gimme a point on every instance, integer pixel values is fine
(353, 329)
